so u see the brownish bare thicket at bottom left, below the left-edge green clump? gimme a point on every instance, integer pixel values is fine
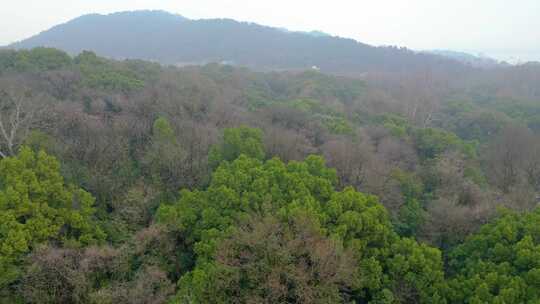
(134, 273)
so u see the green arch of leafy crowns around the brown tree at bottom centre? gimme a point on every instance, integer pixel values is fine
(248, 186)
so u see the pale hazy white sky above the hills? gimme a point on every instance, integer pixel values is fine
(504, 29)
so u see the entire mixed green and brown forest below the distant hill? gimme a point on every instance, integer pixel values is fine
(134, 182)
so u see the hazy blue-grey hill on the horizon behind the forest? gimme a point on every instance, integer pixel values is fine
(173, 39)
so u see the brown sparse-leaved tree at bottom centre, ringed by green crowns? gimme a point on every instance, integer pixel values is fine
(268, 261)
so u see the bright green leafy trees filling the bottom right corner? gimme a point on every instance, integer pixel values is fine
(499, 264)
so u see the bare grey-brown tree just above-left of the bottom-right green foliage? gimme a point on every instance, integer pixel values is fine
(458, 205)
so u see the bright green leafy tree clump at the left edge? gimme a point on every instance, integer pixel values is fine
(36, 206)
